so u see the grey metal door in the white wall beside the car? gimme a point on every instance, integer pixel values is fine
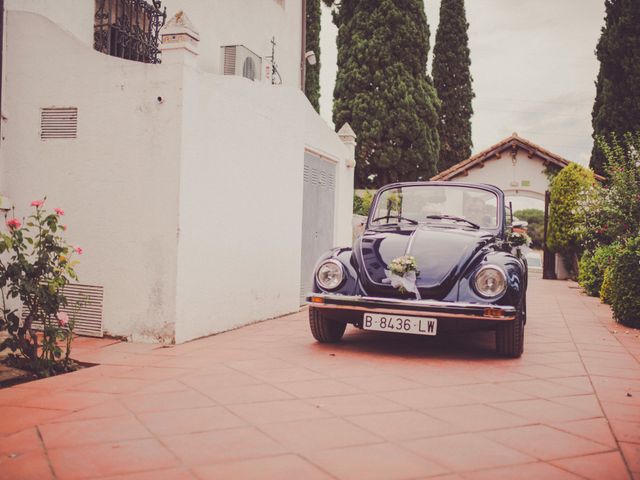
(318, 206)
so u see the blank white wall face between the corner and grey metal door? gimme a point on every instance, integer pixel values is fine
(240, 203)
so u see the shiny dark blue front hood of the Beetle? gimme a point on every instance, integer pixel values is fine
(441, 254)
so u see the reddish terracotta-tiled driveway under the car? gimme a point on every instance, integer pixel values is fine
(266, 401)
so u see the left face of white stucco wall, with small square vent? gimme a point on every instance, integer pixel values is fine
(116, 181)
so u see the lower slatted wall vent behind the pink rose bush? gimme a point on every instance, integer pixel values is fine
(89, 315)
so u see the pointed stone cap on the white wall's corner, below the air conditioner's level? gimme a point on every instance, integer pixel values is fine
(179, 41)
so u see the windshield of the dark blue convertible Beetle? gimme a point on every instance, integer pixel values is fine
(436, 203)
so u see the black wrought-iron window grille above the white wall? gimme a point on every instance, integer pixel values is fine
(129, 29)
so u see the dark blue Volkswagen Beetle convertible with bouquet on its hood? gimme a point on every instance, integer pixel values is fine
(454, 236)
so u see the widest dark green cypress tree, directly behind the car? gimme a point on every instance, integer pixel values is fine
(383, 91)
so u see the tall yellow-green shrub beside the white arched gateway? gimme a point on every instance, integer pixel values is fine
(570, 190)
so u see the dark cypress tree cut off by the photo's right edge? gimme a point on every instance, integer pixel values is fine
(617, 105)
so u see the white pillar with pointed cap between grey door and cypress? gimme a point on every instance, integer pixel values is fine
(344, 211)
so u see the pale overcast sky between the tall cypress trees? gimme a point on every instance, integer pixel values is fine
(533, 68)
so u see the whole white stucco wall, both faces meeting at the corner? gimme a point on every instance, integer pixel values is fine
(189, 208)
